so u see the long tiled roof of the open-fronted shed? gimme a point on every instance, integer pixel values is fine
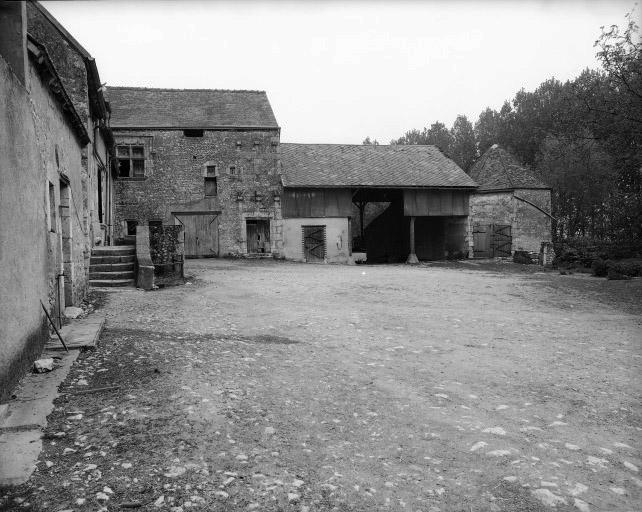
(343, 165)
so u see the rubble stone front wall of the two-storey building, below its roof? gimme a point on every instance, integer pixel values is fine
(174, 182)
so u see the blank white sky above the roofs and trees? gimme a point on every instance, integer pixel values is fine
(338, 71)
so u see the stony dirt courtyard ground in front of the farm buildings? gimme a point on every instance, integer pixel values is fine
(275, 386)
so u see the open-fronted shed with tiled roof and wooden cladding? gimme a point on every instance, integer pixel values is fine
(424, 198)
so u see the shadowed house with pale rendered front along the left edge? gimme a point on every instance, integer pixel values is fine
(48, 152)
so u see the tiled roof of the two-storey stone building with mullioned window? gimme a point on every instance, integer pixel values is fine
(138, 107)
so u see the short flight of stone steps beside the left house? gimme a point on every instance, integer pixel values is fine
(112, 265)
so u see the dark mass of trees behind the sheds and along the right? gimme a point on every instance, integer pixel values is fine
(582, 137)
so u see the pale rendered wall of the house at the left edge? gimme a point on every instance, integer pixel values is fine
(32, 130)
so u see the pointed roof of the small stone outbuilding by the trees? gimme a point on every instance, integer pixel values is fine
(497, 169)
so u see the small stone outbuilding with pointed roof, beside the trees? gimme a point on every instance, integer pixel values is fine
(511, 209)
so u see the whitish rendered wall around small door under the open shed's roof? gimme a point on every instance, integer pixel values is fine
(336, 232)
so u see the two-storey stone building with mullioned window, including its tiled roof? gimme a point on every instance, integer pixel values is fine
(206, 159)
